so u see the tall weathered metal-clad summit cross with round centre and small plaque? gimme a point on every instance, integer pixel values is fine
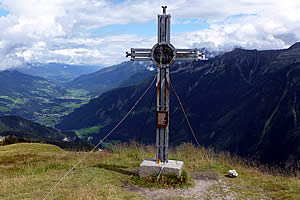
(163, 54)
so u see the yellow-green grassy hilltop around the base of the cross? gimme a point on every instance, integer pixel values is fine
(29, 171)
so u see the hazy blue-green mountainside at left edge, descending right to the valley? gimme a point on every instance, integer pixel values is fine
(24, 94)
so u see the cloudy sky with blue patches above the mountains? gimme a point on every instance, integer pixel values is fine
(99, 32)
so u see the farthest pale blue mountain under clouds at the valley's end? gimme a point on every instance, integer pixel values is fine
(58, 73)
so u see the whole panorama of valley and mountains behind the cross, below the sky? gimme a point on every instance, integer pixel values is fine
(242, 101)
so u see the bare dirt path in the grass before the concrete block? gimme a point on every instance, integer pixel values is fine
(206, 187)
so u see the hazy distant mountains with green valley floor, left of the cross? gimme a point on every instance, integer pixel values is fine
(45, 99)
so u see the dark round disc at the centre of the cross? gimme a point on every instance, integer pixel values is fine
(163, 54)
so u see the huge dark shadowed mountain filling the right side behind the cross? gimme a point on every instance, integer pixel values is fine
(243, 101)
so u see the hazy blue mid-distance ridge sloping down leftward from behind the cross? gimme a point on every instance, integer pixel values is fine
(113, 77)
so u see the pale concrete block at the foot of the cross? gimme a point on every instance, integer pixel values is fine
(150, 167)
